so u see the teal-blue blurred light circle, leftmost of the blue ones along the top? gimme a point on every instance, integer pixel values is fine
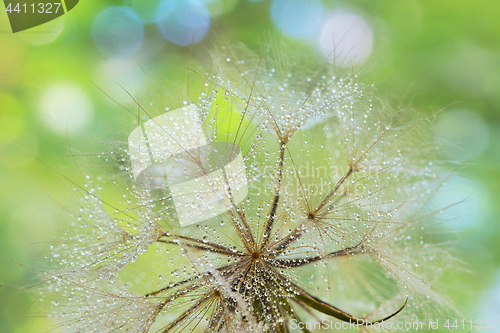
(118, 31)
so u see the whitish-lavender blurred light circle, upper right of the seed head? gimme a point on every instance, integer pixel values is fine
(346, 38)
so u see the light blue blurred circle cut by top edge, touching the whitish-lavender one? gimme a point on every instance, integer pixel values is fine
(297, 18)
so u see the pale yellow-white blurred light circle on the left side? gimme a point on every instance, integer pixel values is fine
(64, 109)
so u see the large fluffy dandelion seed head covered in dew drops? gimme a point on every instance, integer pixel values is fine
(335, 223)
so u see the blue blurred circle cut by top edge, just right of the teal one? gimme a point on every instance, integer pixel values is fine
(182, 21)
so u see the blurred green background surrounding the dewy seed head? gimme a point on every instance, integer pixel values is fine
(431, 54)
